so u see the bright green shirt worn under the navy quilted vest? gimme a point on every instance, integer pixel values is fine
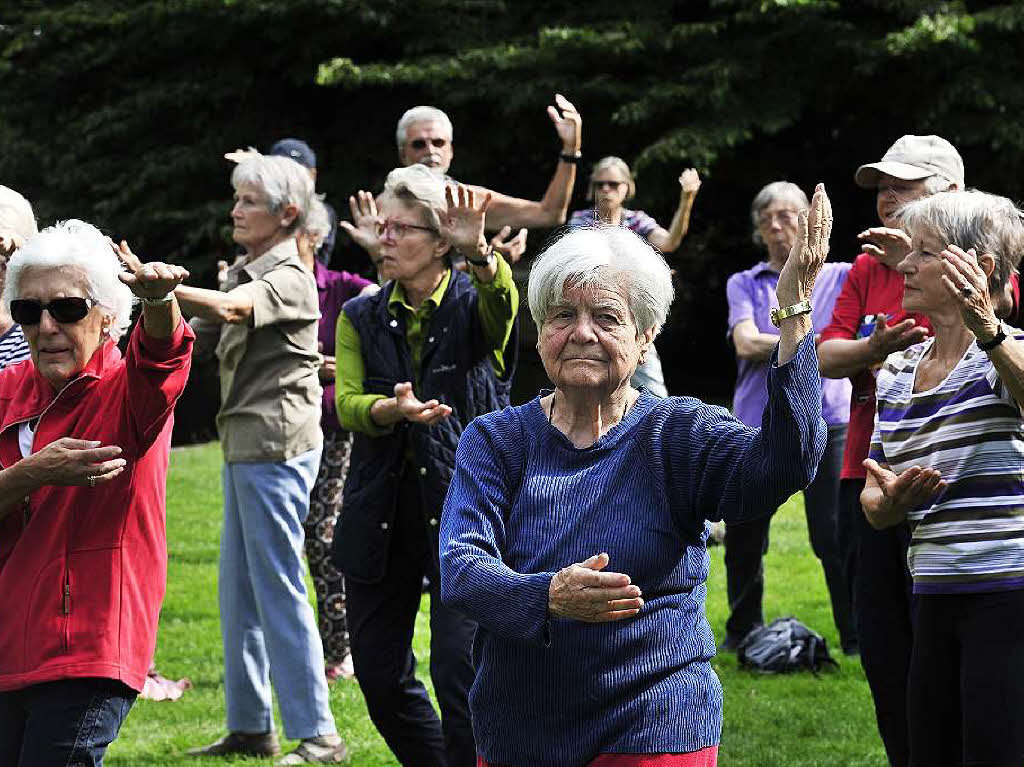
(499, 303)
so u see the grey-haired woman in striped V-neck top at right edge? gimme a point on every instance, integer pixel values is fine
(947, 456)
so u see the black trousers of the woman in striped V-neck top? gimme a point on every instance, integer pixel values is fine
(966, 697)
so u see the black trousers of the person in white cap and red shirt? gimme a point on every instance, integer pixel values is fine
(882, 606)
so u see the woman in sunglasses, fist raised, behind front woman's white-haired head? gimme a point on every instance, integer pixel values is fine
(612, 186)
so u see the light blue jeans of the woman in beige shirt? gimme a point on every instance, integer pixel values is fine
(268, 626)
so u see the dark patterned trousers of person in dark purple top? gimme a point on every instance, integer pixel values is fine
(325, 505)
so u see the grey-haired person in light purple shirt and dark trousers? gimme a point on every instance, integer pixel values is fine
(752, 297)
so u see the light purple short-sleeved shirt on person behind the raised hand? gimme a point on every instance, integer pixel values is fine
(752, 296)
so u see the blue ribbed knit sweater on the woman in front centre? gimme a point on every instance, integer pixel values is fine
(525, 503)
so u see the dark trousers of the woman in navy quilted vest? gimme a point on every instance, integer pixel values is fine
(381, 622)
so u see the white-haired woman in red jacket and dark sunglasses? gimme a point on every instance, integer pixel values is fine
(84, 441)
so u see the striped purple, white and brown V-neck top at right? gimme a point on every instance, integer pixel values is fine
(970, 538)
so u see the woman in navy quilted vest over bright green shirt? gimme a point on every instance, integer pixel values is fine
(416, 364)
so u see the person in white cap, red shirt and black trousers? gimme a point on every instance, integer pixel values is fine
(869, 323)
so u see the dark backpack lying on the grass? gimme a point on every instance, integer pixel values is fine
(785, 646)
